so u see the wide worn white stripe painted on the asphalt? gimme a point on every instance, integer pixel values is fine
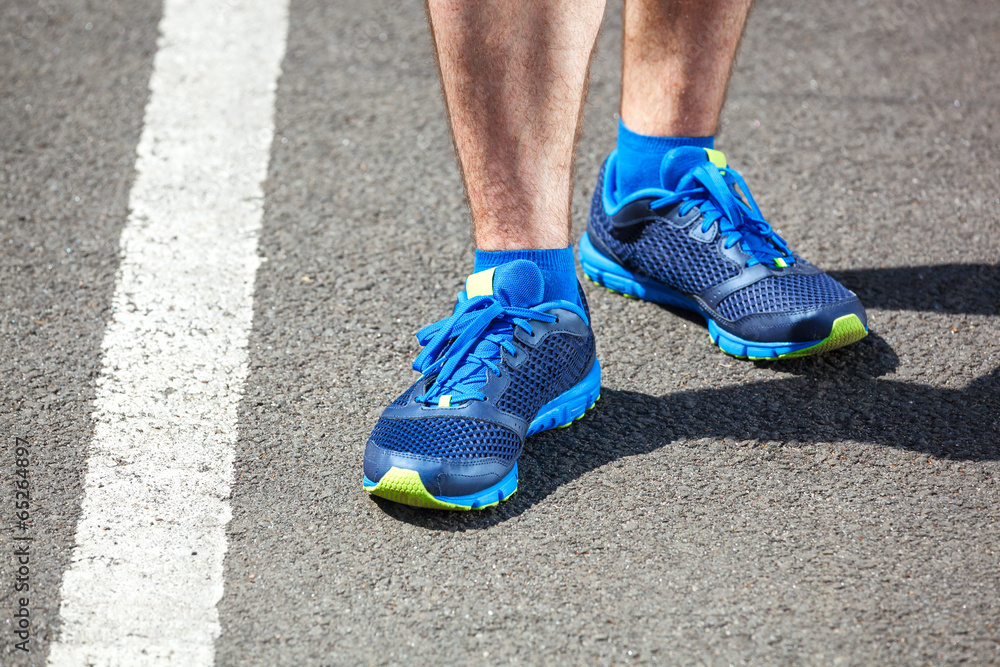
(147, 568)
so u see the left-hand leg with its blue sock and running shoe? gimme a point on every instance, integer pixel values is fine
(517, 356)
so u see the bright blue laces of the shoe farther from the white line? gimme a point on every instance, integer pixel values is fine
(712, 190)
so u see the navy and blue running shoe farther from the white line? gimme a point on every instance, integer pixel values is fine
(701, 244)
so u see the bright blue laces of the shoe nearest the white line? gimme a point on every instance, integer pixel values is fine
(459, 348)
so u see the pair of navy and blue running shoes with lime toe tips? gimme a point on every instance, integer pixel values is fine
(506, 364)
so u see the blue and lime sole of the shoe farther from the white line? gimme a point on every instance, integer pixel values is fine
(607, 273)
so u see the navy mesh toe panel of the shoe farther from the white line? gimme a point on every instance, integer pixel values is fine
(779, 294)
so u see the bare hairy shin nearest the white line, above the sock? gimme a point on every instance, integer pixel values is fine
(514, 75)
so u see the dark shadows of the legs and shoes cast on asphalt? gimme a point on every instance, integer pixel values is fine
(835, 397)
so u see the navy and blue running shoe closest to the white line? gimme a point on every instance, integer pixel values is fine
(504, 366)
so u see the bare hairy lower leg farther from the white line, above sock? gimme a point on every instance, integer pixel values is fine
(676, 60)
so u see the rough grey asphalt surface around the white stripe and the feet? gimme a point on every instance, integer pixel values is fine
(834, 510)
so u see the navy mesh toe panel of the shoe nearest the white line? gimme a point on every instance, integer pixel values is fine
(447, 438)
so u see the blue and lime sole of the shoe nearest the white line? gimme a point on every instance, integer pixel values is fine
(404, 486)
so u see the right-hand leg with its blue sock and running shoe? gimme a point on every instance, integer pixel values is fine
(669, 222)
